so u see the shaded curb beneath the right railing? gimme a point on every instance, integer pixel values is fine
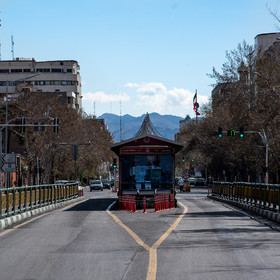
(270, 215)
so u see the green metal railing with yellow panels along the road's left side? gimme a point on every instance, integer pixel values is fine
(21, 199)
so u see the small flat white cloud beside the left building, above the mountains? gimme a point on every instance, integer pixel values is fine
(102, 97)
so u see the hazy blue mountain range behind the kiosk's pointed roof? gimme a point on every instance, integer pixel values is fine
(166, 125)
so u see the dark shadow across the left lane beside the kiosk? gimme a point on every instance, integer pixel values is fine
(96, 204)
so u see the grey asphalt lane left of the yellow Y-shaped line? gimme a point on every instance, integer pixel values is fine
(82, 242)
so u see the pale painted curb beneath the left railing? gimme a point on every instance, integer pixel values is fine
(34, 212)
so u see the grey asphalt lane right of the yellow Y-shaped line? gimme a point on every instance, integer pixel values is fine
(214, 241)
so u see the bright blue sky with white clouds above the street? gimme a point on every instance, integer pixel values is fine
(136, 56)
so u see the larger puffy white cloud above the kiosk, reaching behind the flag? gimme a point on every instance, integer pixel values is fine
(155, 97)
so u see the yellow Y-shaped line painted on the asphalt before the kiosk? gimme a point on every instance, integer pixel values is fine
(152, 269)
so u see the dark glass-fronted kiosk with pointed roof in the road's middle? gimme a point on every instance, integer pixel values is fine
(146, 162)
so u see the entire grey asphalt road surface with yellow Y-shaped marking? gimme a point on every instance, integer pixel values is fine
(84, 241)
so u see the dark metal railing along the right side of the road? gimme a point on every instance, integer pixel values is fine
(265, 196)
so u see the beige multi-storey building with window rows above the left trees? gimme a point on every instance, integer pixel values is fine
(46, 78)
